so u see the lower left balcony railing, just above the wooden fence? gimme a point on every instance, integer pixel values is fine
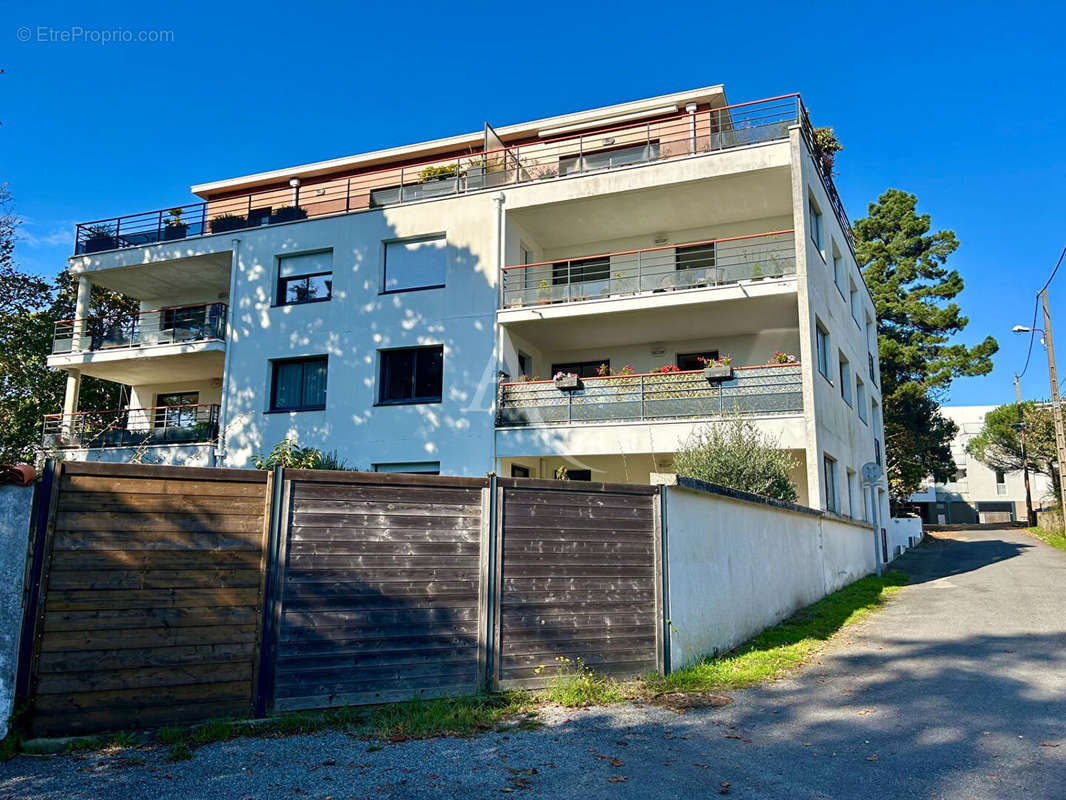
(163, 425)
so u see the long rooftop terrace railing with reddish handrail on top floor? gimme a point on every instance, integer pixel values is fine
(704, 132)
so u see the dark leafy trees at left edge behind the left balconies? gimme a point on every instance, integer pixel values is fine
(29, 309)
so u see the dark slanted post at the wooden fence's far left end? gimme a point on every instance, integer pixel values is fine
(43, 519)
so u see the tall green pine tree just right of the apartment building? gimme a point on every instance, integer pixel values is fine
(914, 292)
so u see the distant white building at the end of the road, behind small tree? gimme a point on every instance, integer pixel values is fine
(977, 493)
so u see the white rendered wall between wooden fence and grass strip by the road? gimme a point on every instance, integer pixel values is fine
(738, 566)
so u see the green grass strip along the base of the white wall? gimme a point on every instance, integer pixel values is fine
(787, 646)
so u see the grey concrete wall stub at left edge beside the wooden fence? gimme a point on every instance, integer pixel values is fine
(17, 503)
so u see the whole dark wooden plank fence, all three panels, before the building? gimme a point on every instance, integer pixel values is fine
(179, 595)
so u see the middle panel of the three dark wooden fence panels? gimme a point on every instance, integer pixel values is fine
(382, 589)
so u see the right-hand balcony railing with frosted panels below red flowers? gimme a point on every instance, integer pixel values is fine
(769, 390)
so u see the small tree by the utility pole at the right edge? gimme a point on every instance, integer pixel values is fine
(999, 444)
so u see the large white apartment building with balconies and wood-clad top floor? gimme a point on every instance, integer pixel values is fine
(389, 306)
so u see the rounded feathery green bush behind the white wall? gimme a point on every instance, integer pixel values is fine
(734, 453)
